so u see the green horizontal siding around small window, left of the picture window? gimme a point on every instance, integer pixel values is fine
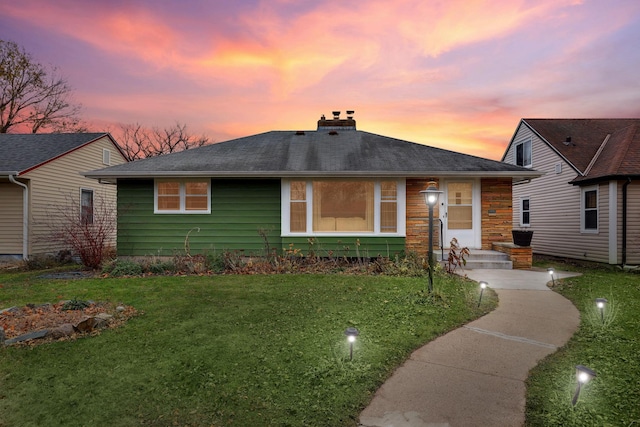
(239, 208)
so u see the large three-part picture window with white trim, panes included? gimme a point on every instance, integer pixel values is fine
(338, 206)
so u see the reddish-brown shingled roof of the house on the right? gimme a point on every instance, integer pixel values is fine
(598, 148)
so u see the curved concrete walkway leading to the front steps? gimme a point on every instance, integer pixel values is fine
(474, 375)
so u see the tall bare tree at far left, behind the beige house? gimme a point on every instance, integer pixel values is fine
(33, 97)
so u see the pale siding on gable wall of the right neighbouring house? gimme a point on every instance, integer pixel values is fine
(555, 206)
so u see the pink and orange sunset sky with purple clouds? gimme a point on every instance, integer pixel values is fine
(453, 74)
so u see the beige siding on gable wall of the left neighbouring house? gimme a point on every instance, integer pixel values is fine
(52, 182)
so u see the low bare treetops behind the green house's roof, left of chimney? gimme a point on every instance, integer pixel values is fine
(138, 142)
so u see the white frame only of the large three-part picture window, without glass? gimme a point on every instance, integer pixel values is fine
(286, 209)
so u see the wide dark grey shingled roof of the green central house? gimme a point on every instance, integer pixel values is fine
(325, 152)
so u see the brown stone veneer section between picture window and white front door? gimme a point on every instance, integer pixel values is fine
(418, 218)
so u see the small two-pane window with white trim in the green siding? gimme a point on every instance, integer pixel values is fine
(182, 196)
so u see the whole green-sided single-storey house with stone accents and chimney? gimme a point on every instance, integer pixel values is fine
(336, 186)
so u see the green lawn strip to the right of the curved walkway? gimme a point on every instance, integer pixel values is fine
(610, 348)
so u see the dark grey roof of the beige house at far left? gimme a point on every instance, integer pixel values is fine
(24, 152)
